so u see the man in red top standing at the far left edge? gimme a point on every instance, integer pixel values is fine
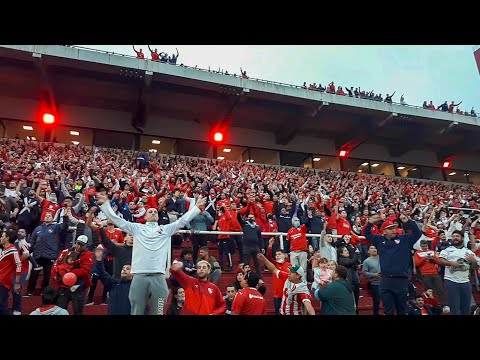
(10, 268)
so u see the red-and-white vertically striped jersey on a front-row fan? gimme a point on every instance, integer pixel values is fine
(294, 295)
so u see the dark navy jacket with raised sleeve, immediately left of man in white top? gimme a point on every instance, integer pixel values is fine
(119, 304)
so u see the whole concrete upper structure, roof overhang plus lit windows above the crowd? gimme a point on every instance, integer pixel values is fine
(119, 101)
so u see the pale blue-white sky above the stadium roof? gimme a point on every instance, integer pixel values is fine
(420, 72)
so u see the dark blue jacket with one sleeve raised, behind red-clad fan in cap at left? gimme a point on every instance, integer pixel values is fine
(45, 239)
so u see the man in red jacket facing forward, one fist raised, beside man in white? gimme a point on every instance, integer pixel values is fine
(202, 297)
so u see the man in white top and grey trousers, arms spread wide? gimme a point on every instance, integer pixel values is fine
(151, 254)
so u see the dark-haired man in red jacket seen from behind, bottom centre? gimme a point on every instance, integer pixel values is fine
(249, 301)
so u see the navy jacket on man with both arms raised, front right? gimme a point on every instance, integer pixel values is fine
(395, 254)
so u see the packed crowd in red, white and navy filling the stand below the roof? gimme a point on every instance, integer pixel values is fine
(94, 212)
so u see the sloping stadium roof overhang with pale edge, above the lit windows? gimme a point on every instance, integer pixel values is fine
(99, 80)
